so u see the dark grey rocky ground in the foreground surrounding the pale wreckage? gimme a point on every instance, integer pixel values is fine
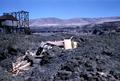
(96, 59)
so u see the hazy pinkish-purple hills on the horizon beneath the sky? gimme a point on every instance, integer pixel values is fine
(51, 21)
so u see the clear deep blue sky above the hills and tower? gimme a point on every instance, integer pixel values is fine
(64, 9)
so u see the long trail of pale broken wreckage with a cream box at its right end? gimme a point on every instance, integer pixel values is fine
(33, 58)
